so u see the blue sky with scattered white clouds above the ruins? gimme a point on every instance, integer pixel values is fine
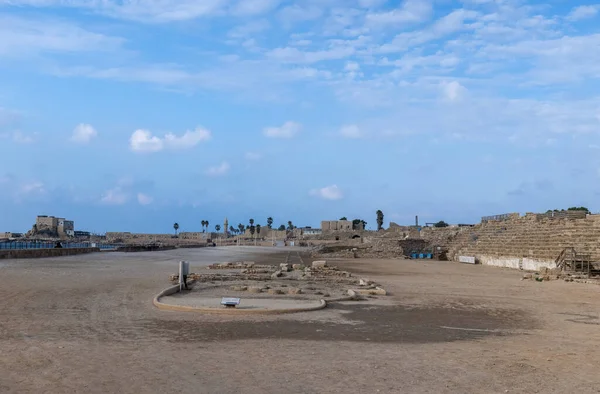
(130, 115)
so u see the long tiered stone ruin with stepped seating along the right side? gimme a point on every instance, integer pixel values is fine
(530, 242)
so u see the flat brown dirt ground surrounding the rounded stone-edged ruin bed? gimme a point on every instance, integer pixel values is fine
(87, 324)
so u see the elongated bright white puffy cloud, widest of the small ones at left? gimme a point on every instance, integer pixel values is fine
(143, 140)
